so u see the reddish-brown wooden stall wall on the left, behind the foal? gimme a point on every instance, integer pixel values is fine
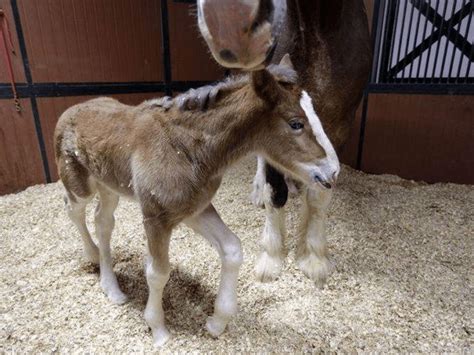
(76, 41)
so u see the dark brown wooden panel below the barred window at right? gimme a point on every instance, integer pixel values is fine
(421, 137)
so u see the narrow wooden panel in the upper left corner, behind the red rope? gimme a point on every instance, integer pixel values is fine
(16, 59)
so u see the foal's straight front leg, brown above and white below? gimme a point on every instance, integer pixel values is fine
(157, 275)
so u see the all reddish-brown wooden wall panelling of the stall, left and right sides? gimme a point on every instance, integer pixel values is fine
(419, 137)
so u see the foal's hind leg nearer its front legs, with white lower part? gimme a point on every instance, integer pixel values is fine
(104, 224)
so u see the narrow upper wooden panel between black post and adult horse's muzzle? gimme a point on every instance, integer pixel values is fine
(190, 57)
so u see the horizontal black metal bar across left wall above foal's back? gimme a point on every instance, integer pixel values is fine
(108, 88)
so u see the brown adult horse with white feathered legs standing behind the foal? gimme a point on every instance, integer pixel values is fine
(329, 45)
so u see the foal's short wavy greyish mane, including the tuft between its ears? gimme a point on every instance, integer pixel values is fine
(206, 97)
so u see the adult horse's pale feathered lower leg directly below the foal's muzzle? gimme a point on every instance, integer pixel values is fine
(312, 253)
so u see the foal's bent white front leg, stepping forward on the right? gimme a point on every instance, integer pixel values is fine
(209, 224)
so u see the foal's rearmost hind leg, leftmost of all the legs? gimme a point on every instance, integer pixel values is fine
(76, 209)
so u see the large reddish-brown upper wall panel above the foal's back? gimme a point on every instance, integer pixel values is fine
(93, 40)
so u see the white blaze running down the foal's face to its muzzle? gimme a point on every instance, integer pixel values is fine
(330, 164)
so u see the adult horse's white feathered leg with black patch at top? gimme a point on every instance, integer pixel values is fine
(270, 261)
